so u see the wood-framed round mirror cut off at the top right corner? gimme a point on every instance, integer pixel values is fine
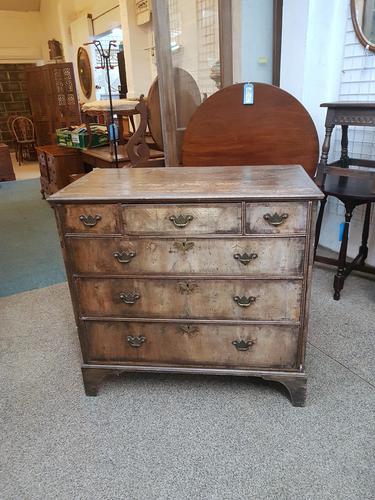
(363, 17)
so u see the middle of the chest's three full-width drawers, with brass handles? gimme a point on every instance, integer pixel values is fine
(276, 300)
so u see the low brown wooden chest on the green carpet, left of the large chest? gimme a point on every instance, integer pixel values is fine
(56, 163)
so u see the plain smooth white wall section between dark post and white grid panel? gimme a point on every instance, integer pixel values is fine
(311, 53)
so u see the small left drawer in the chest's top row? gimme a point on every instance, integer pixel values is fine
(95, 219)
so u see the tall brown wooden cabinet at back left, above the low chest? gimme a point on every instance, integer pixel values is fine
(53, 100)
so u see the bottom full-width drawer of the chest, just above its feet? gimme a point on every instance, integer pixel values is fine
(247, 346)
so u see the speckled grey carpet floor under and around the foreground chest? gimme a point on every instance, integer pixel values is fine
(186, 437)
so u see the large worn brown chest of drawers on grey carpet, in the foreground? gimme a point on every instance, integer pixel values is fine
(191, 270)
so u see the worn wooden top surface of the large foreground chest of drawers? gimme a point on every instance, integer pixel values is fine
(246, 183)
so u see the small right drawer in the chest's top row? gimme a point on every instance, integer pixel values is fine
(274, 218)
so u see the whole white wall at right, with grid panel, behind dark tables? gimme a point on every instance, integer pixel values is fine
(322, 61)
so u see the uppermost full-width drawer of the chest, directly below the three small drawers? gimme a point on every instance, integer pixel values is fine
(229, 256)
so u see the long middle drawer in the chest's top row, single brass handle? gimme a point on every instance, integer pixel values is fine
(220, 218)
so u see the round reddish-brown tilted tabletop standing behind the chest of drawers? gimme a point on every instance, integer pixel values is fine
(275, 130)
